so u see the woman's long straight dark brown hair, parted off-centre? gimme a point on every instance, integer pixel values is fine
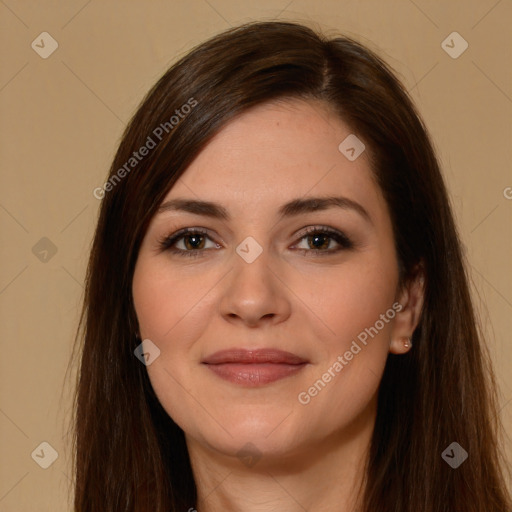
(129, 455)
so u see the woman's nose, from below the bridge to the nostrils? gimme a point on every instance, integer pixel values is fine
(255, 293)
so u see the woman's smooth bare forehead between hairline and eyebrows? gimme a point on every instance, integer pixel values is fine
(275, 152)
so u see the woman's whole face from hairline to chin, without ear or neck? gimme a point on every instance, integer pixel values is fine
(273, 323)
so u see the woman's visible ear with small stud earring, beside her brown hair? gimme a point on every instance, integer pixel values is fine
(410, 297)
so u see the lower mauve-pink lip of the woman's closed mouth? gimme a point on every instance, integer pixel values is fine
(255, 374)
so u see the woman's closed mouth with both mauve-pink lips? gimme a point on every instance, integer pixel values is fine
(253, 368)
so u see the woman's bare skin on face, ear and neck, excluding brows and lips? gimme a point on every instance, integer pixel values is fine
(306, 456)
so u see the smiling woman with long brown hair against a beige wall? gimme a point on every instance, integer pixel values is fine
(277, 314)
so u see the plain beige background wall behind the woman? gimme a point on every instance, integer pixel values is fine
(61, 121)
